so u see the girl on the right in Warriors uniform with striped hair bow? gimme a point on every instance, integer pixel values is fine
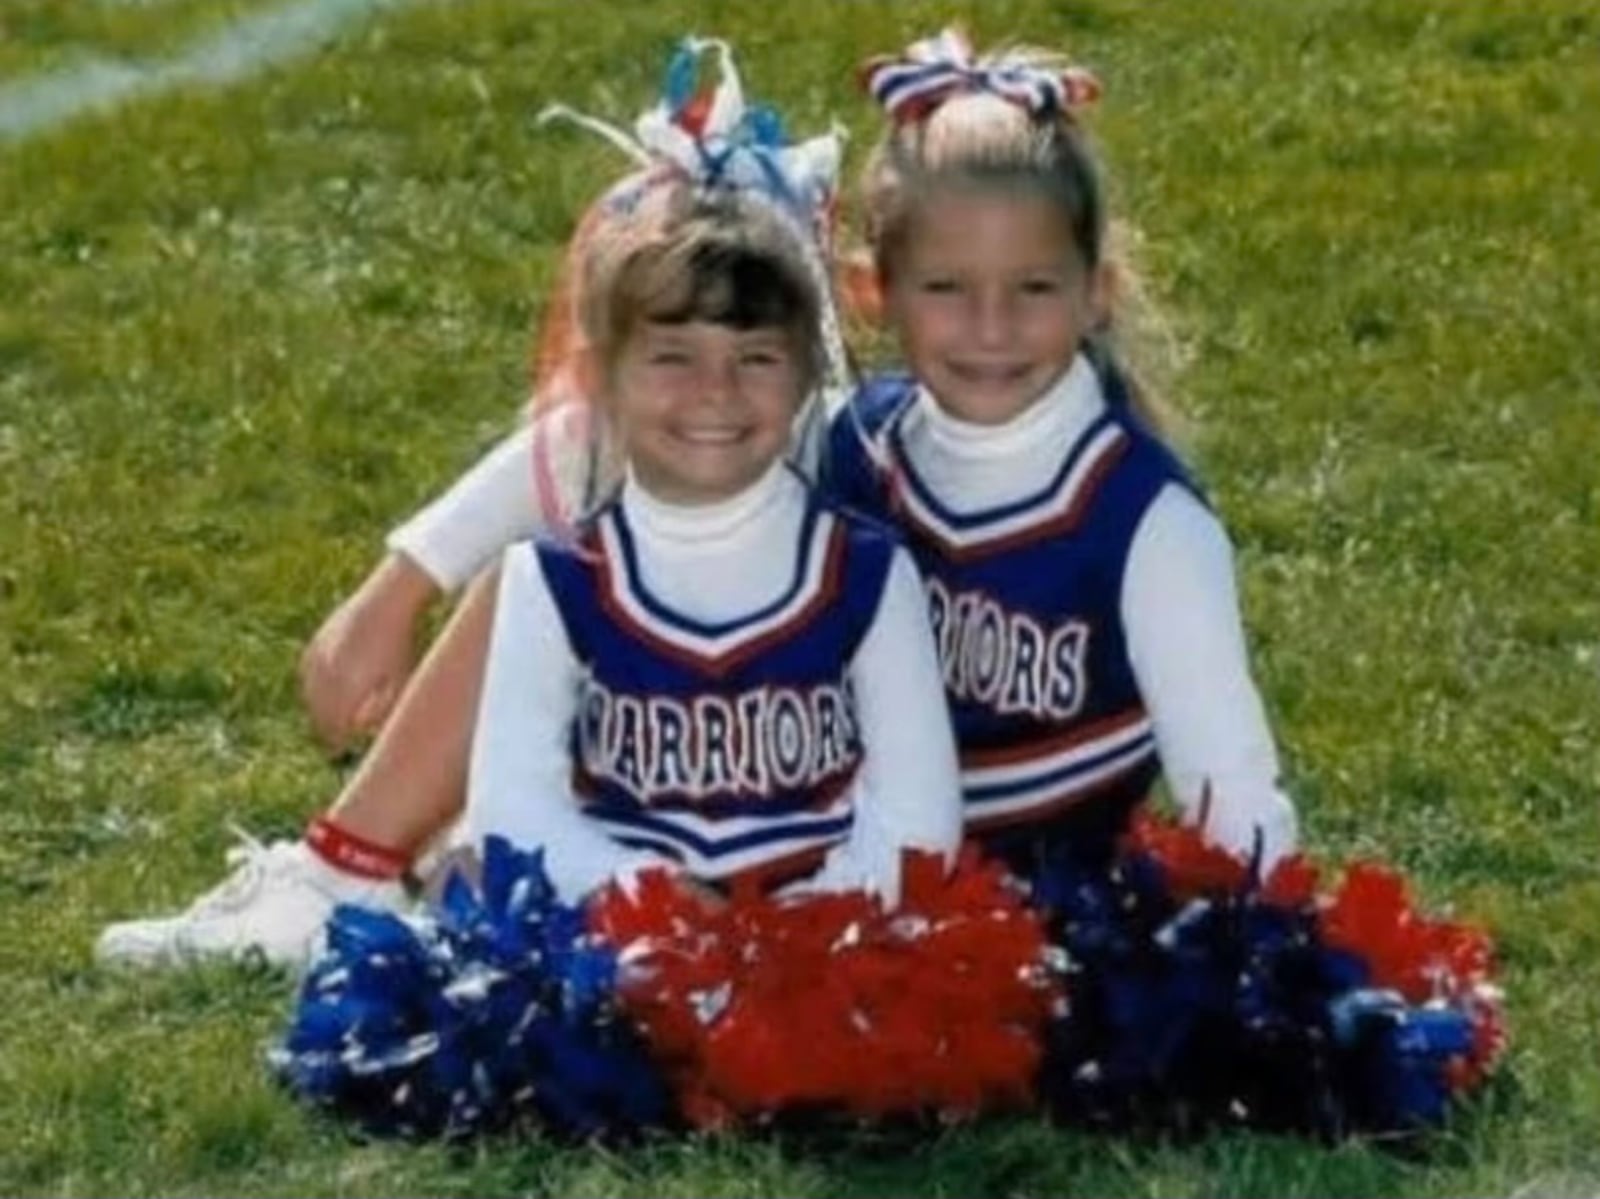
(1081, 587)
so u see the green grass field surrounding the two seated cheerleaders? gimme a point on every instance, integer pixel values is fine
(250, 324)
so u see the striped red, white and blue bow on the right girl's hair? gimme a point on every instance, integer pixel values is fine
(935, 70)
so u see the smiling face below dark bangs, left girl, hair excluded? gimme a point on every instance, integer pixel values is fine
(703, 411)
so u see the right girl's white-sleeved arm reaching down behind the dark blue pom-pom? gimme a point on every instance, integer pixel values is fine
(1180, 606)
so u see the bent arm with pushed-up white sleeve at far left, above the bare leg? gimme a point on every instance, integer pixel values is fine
(359, 660)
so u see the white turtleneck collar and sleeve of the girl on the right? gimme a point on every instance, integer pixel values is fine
(1180, 608)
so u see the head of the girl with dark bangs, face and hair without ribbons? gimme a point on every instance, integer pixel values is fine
(703, 340)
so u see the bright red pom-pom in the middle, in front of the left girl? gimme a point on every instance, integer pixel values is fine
(833, 1001)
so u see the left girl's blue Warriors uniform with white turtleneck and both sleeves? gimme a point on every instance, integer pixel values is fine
(742, 689)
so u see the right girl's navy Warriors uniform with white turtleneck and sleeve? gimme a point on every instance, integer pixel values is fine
(1084, 604)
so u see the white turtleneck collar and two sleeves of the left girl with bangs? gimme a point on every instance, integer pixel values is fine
(713, 564)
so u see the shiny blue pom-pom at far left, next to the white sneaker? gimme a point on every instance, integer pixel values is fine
(497, 1006)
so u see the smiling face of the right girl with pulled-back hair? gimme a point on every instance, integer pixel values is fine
(990, 299)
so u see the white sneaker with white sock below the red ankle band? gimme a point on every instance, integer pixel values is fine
(273, 905)
